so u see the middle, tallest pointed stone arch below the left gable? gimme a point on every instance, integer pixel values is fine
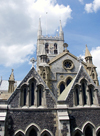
(31, 127)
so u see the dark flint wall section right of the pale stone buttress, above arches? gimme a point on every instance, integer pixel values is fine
(80, 116)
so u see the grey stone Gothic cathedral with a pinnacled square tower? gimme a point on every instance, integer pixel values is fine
(61, 97)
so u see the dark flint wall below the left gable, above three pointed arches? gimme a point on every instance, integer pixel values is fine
(21, 119)
